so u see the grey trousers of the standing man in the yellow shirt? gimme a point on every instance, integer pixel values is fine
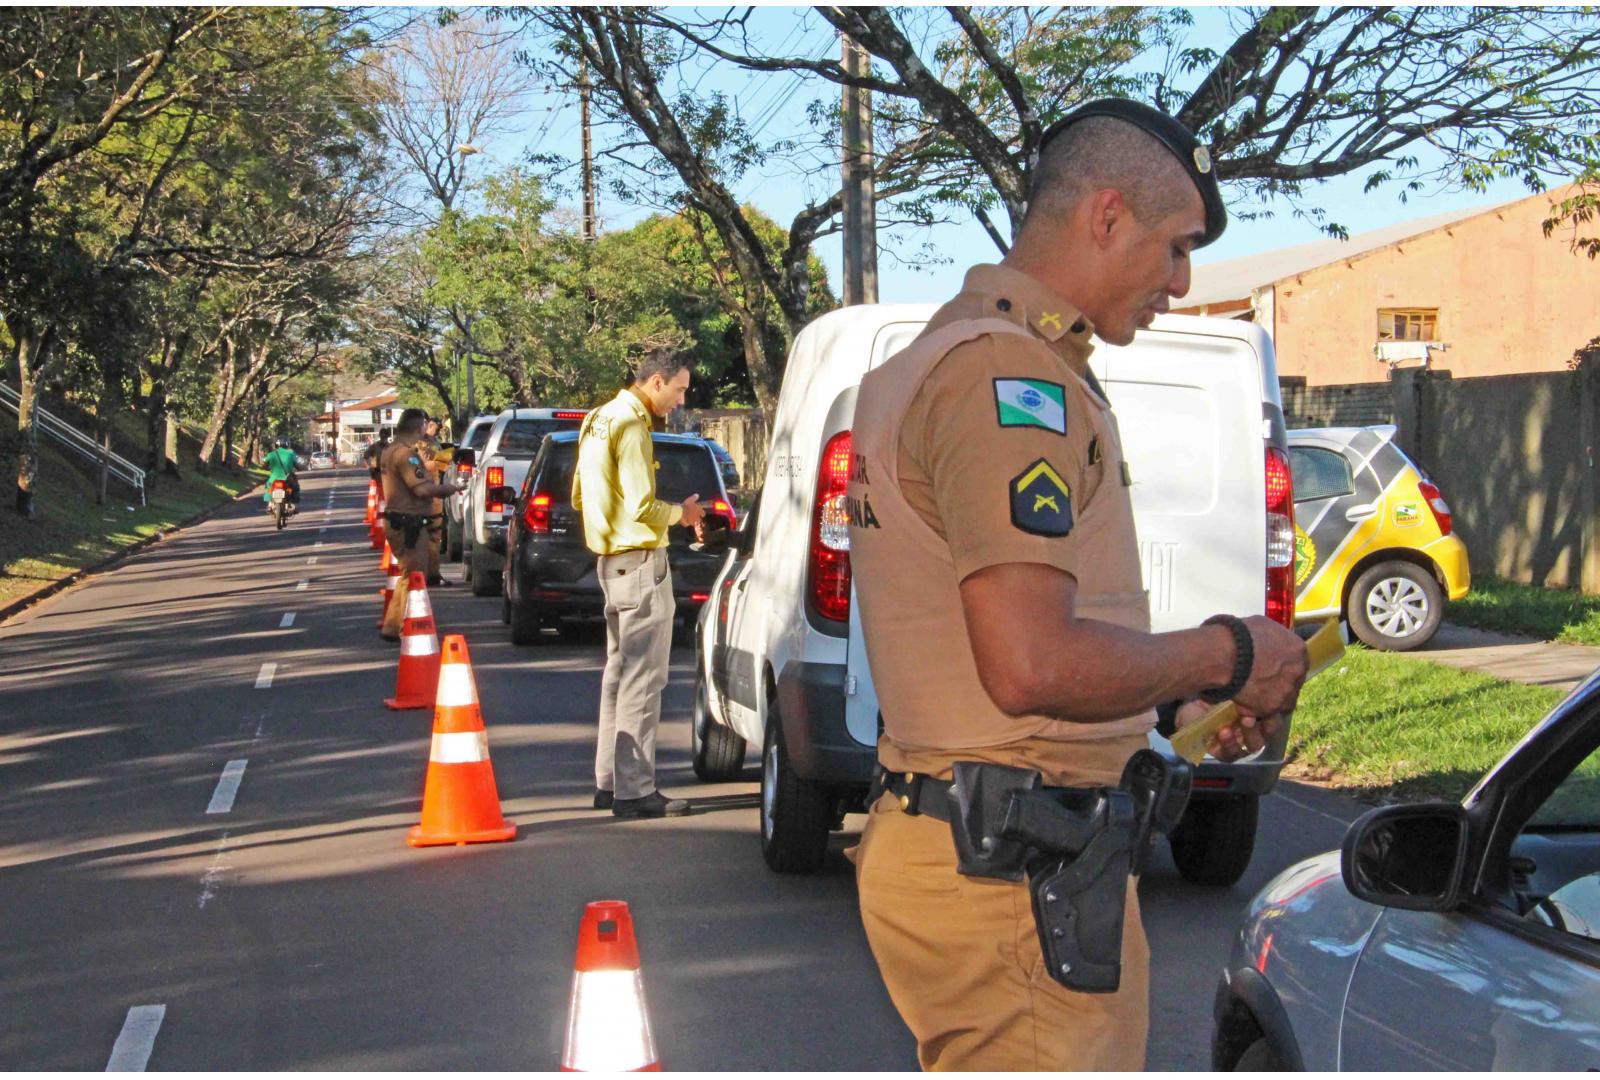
(639, 610)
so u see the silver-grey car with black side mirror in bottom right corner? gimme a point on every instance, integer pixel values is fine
(1454, 937)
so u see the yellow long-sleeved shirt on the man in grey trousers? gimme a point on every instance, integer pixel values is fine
(615, 481)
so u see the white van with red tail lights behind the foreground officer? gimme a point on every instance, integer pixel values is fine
(1202, 428)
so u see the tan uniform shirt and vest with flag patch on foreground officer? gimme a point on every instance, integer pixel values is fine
(985, 442)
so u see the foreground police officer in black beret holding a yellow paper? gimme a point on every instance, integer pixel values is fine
(1001, 594)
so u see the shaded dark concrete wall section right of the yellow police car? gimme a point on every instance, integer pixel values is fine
(1513, 457)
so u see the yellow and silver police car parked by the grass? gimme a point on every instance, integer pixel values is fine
(1374, 540)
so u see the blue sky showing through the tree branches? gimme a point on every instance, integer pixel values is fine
(930, 262)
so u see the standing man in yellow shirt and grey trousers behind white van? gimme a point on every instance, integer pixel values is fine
(626, 526)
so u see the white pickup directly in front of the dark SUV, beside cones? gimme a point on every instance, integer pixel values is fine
(502, 463)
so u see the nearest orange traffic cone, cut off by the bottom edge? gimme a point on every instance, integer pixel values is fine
(607, 1025)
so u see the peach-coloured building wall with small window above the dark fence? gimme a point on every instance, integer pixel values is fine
(1510, 300)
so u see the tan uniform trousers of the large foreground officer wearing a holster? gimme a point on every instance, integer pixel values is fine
(961, 961)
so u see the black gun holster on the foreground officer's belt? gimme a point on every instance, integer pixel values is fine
(1076, 846)
